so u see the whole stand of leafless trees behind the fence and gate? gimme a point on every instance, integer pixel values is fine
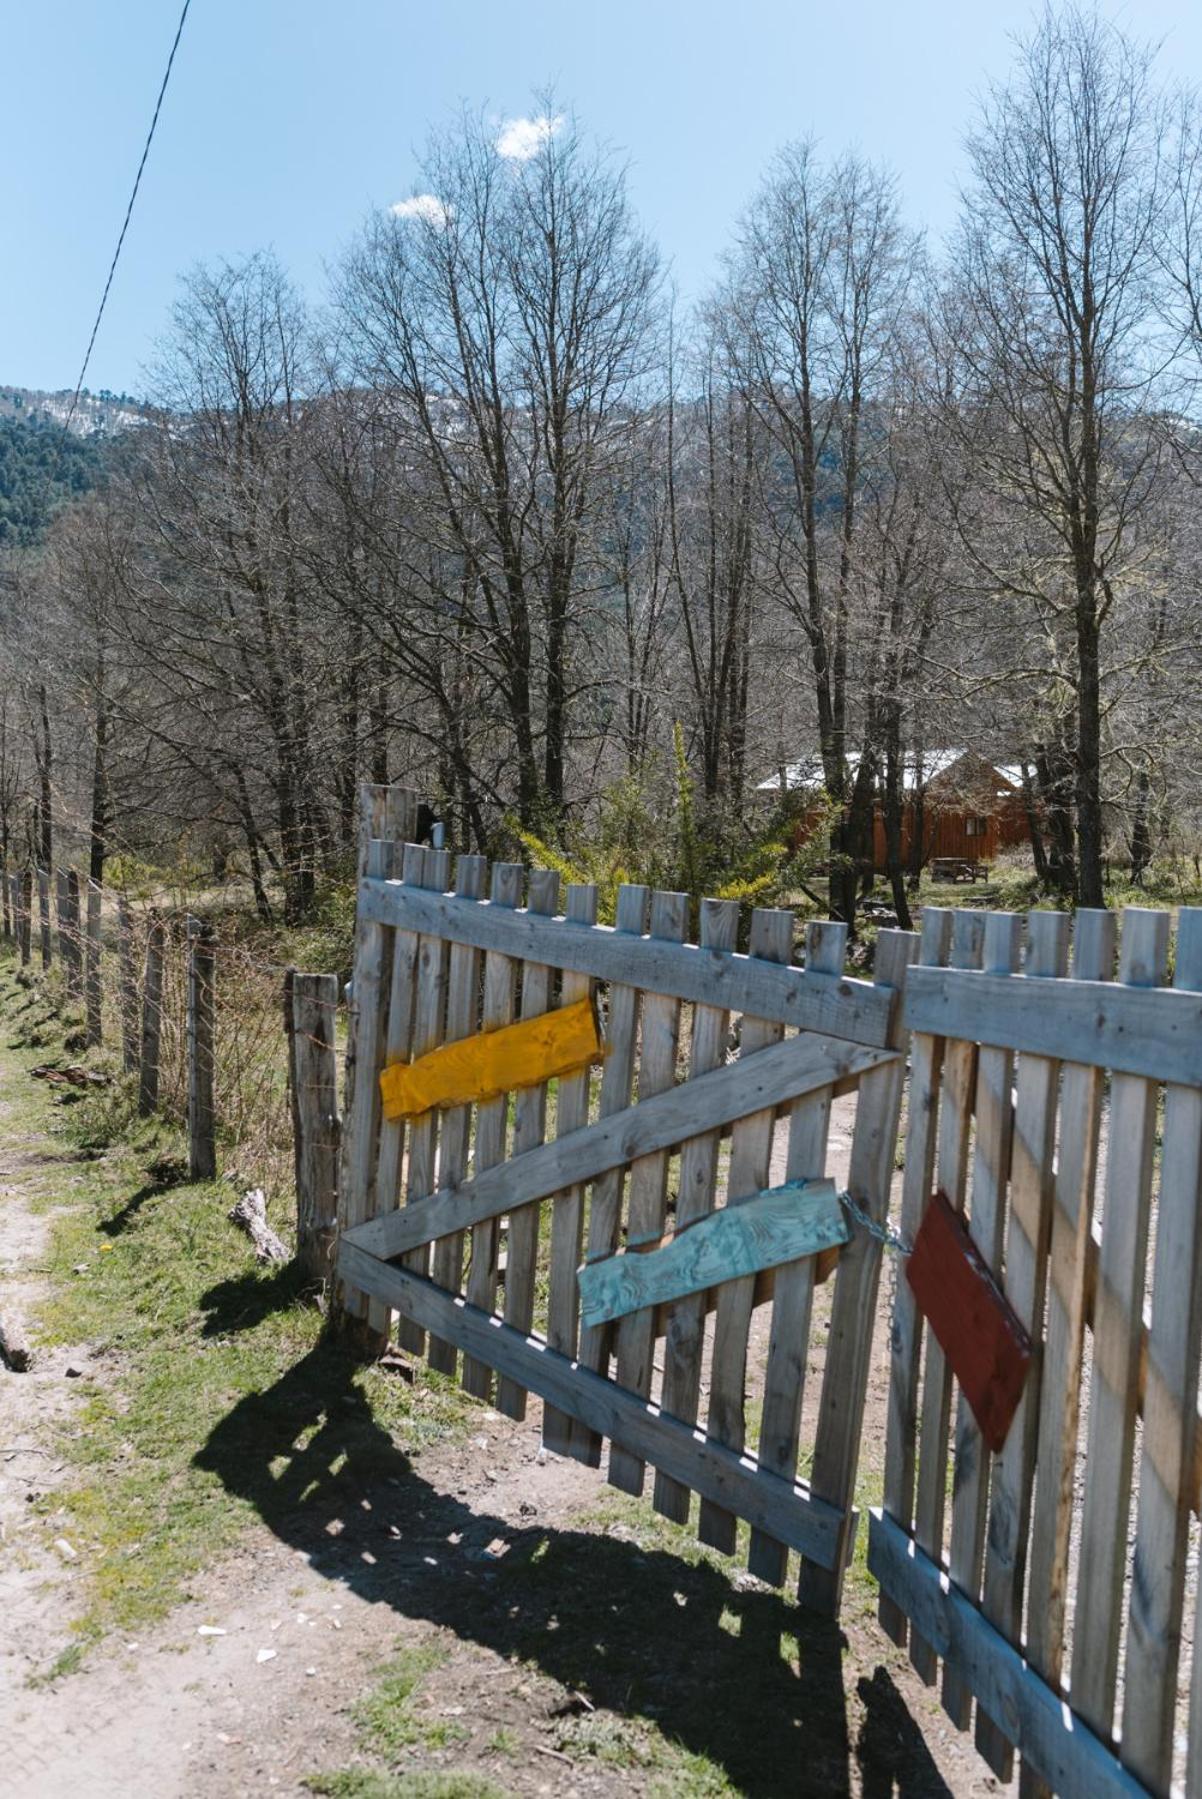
(503, 521)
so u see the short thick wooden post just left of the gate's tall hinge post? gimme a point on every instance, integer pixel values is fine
(310, 1016)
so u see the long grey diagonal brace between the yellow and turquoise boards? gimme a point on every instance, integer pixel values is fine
(755, 1084)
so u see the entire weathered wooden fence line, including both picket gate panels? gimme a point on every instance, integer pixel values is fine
(1039, 1561)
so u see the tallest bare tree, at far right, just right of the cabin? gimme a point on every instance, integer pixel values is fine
(1059, 371)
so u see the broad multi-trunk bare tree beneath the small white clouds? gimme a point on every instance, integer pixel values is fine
(508, 318)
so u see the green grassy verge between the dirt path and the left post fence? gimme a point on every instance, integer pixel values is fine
(179, 1329)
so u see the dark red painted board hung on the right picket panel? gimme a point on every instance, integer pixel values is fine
(978, 1329)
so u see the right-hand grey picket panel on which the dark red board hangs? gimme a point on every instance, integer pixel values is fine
(1057, 1579)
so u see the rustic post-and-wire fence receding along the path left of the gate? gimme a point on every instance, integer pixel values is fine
(253, 1080)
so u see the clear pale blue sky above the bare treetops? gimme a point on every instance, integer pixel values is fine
(291, 120)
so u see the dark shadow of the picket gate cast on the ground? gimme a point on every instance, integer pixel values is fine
(641, 1633)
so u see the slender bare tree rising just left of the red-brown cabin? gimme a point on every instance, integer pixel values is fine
(818, 291)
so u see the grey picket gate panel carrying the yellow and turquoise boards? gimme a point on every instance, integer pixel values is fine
(472, 1217)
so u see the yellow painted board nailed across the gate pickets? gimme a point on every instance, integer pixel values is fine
(494, 1062)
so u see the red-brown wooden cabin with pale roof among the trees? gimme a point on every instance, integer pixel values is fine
(971, 809)
